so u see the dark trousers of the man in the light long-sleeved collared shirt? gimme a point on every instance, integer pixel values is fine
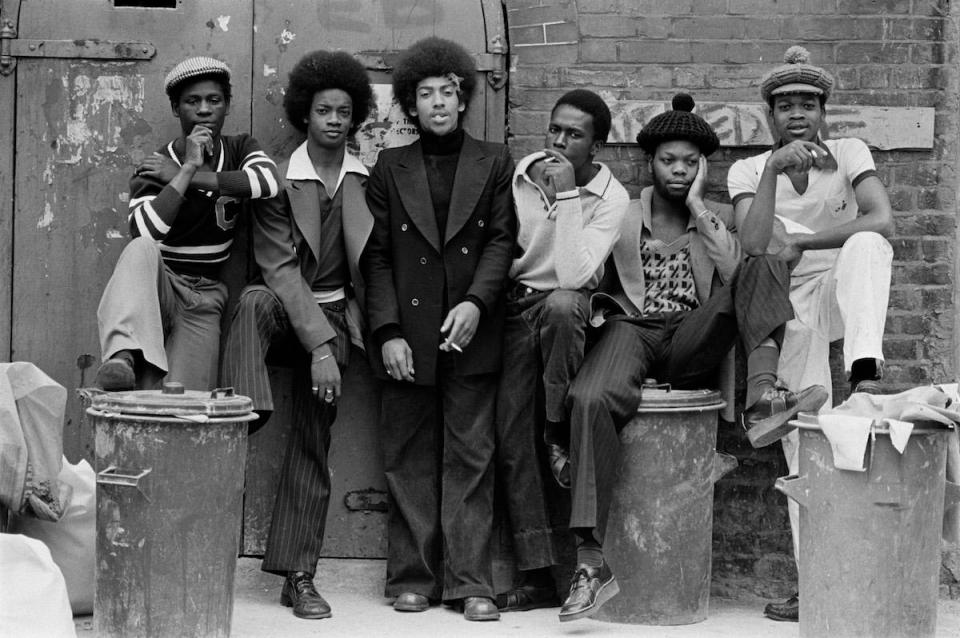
(543, 348)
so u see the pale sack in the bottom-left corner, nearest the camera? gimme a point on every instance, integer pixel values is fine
(33, 596)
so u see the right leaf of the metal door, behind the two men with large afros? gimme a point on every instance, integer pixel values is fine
(375, 30)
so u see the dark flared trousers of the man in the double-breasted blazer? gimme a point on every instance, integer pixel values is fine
(438, 452)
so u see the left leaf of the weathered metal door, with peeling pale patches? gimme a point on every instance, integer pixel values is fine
(83, 98)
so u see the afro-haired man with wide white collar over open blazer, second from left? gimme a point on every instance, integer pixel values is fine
(307, 243)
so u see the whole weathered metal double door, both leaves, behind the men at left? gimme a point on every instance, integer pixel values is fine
(81, 97)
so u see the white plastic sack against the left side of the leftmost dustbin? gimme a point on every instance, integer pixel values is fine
(72, 539)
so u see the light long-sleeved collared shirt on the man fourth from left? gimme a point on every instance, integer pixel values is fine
(564, 244)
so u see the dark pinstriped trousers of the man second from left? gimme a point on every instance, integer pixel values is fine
(259, 327)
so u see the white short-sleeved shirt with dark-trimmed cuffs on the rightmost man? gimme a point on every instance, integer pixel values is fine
(829, 199)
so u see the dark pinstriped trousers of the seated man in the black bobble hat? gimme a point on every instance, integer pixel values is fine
(684, 349)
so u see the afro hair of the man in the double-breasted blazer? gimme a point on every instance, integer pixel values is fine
(432, 58)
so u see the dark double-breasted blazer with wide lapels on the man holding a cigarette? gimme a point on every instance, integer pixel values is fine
(414, 276)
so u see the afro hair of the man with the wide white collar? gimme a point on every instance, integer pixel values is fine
(323, 70)
